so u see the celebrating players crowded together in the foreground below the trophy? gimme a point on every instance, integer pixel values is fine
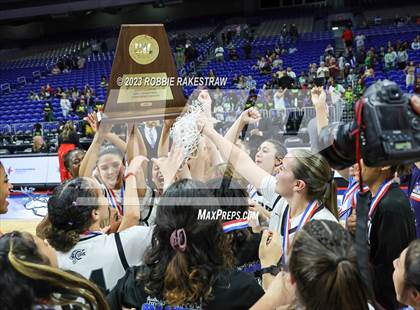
(120, 235)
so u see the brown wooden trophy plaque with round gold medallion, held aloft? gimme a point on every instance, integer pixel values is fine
(143, 77)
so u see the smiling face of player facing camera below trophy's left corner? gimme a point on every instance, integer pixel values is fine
(110, 169)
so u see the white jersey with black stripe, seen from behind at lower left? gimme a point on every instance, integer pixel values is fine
(103, 258)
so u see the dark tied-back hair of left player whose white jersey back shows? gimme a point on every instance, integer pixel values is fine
(69, 211)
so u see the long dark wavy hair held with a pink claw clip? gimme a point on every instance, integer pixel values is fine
(185, 277)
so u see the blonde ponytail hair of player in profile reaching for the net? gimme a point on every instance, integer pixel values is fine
(315, 171)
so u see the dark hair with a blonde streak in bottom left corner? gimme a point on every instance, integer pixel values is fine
(27, 278)
